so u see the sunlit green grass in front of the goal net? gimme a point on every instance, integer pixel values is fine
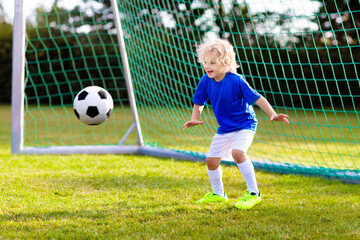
(140, 197)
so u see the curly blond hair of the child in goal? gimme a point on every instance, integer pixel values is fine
(222, 50)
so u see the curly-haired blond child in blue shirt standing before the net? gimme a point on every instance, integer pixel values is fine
(231, 98)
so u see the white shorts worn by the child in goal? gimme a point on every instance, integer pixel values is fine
(223, 144)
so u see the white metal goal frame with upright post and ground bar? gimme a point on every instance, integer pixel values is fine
(17, 104)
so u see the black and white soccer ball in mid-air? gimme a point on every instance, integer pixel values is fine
(93, 105)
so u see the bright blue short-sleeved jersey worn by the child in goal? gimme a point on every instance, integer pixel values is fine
(231, 99)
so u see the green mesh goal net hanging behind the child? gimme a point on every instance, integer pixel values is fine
(302, 55)
